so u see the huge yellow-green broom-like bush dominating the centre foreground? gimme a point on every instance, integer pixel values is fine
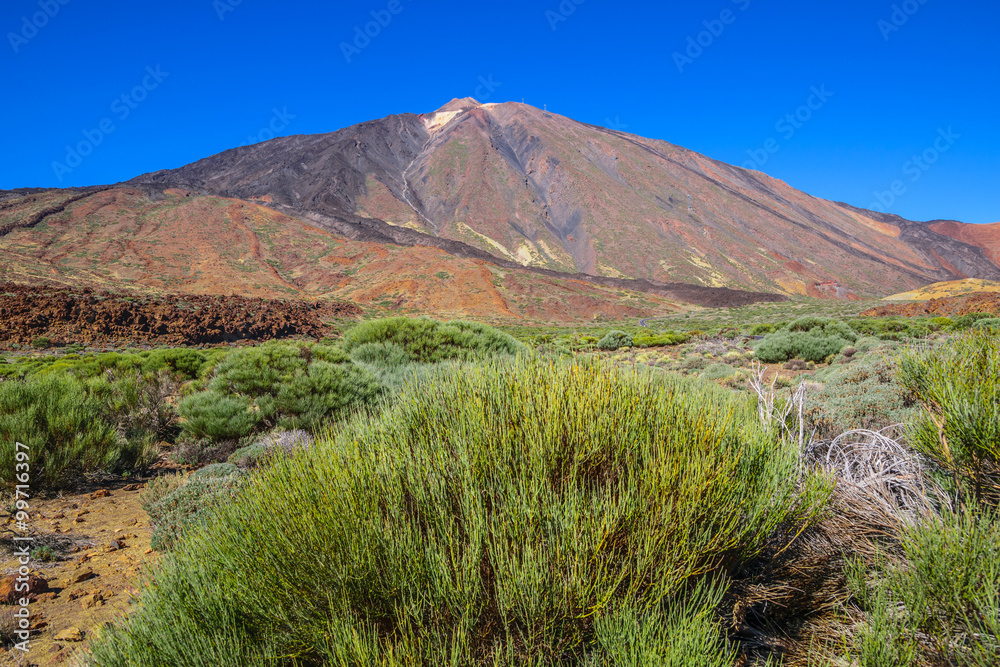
(504, 514)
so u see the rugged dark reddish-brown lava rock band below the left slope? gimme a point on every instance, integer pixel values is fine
(90, 316)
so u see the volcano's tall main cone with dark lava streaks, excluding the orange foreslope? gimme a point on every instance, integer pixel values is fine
(535, 189)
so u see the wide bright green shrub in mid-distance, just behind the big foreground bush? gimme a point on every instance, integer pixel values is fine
(428, 341)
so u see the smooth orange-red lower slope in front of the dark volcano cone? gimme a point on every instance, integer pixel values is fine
(183, 243)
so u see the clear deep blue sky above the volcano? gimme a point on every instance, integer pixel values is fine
(906, 95)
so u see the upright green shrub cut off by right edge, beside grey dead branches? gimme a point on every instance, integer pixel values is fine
(959, 425)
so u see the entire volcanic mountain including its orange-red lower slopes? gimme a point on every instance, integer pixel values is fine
(493, 211)
